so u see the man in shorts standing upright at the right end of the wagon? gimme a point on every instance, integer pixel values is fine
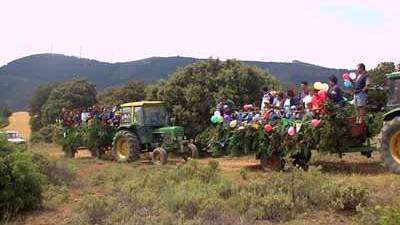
(360, 88)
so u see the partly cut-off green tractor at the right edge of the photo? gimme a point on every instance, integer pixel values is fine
(389, 141)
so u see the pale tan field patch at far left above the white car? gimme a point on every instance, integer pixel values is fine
(19, 121)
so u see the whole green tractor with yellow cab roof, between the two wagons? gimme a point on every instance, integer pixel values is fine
(144, 128)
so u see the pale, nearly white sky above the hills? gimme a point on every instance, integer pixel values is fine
(337, 34)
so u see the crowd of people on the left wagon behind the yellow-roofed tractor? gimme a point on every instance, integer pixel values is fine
(78, 117)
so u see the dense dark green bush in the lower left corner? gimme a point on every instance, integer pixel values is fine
(20, 181)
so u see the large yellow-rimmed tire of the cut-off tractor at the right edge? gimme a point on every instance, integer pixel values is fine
(389, 144)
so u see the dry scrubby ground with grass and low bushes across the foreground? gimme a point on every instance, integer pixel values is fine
(352, 190)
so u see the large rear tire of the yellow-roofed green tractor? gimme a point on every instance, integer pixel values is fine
(125, 147)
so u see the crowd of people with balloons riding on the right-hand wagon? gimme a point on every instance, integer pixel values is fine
(307, 103)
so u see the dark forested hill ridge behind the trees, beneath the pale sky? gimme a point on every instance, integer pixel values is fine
(19, 78)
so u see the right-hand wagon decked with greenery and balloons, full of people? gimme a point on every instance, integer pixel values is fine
(287, 124)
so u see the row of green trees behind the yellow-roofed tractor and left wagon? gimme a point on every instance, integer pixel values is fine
(190, 93)
